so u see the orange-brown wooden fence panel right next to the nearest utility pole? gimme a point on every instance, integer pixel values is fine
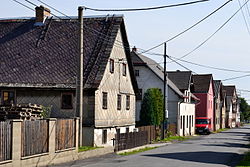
(65, 134)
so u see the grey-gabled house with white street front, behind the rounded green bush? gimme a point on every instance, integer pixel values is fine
(149, 74)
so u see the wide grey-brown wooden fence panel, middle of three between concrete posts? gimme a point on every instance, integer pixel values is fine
(35, 137)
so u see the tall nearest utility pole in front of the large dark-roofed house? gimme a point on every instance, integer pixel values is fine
(79, 84)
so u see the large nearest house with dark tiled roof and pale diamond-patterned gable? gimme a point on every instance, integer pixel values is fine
(38, 64)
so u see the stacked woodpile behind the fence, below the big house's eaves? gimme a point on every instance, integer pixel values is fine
(20, 111)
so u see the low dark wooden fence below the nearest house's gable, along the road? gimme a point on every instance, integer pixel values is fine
(130, 140)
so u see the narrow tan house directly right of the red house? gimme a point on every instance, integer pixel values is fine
(219, 105)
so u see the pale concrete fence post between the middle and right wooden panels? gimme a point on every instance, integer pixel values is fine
(52, 135)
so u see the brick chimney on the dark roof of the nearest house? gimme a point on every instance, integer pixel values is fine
(41, 14)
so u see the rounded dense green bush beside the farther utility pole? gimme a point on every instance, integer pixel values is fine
(152, 107)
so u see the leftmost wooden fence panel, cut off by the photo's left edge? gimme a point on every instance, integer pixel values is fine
(5, 140)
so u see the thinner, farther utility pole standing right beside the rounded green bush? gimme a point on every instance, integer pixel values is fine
(164, 91)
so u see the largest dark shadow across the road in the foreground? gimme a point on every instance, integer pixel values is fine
(210, 157)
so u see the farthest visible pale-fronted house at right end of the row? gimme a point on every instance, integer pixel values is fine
(232, 113)
